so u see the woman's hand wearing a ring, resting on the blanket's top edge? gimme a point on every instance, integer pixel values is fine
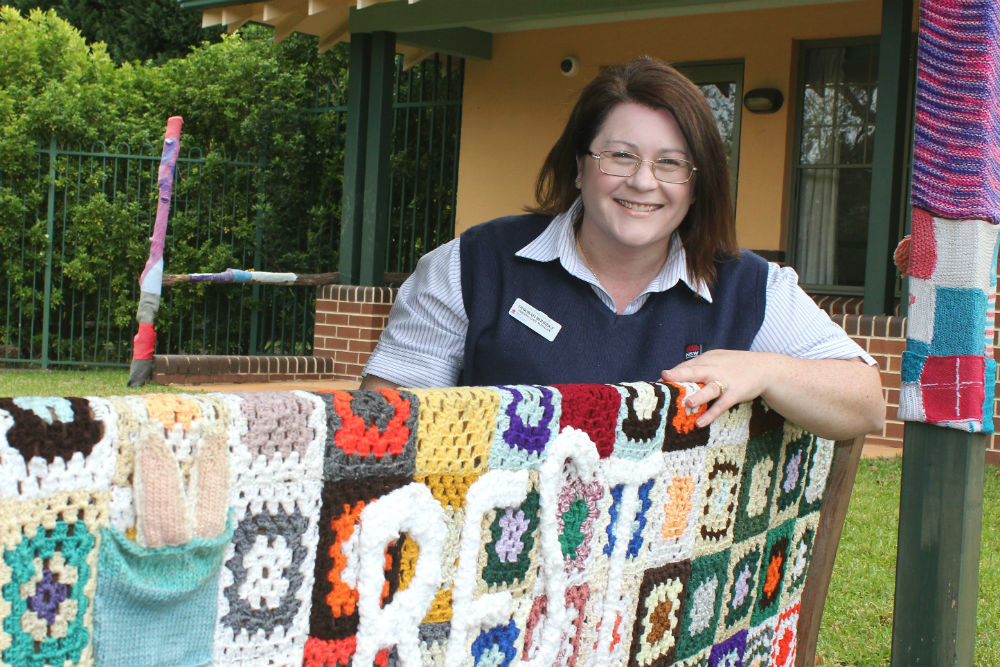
(729, 376)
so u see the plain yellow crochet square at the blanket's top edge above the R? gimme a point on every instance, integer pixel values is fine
(455, 429)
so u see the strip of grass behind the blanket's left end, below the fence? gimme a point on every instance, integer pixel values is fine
(100, 382)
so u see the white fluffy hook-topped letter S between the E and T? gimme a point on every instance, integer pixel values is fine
(571, 447)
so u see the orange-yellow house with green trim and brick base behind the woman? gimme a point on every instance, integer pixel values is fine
(813, 97)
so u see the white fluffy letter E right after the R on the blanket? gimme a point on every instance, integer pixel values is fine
(496, 488)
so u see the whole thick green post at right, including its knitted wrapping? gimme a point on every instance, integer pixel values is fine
(948, 370)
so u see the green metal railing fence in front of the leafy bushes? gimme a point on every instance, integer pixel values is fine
(74, 236)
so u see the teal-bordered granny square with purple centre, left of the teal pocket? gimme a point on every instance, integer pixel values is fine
(49, 573)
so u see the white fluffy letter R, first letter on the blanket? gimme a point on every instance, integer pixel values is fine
(414, 511)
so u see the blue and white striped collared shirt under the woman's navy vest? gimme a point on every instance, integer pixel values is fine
(424, 343)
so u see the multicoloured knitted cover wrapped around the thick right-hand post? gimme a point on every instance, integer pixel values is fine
(948, 370)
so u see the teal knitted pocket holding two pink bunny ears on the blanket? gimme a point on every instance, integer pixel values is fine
(157, 607)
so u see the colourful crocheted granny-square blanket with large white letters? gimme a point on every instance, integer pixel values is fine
(410, 527)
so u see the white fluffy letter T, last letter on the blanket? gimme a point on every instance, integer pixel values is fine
(632, 474)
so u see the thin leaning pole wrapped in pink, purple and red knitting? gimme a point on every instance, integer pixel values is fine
(151, 280)
